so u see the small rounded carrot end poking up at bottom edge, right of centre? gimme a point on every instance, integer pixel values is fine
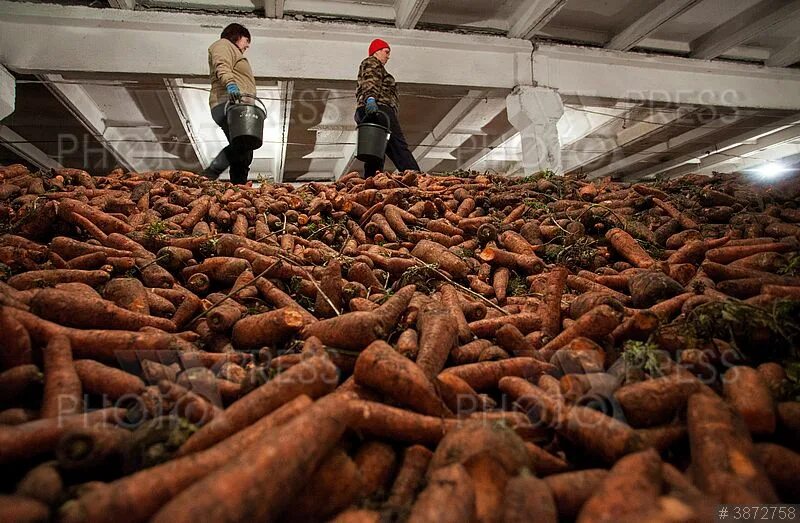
(528, 498)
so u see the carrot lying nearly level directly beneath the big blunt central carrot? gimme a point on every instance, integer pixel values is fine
(382, 421)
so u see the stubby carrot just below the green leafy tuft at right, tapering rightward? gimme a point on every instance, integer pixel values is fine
(656, 401)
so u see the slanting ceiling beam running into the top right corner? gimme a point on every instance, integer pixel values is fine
(743, 27)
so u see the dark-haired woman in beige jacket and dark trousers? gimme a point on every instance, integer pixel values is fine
(231, 79)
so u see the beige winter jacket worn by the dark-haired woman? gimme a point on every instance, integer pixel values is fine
(227, 64)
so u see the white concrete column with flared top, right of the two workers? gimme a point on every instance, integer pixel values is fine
(534, 112)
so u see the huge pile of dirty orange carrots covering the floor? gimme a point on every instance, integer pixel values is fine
(410, 347)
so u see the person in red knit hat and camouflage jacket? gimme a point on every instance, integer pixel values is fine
(377, 91)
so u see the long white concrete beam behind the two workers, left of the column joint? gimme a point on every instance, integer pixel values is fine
(143, 42)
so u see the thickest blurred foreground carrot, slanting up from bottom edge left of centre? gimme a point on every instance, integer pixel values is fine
(308, 439)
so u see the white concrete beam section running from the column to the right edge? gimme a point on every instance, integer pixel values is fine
(581, 71)
